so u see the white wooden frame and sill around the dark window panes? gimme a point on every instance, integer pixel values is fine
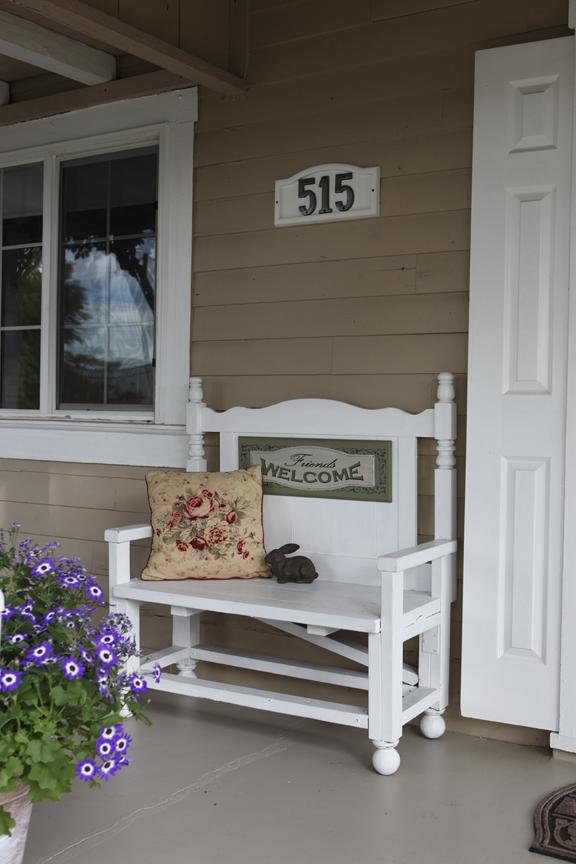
(131, 438)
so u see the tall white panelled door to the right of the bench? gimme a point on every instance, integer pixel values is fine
(517, 383)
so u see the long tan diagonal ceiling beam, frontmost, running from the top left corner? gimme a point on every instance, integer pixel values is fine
(86, 21)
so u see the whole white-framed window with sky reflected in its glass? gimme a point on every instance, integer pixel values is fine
(95, 248)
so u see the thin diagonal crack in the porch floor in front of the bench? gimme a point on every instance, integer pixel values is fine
(92, 840)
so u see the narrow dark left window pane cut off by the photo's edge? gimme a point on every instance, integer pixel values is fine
(21, 195)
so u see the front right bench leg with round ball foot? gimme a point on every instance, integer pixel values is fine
(385, 670)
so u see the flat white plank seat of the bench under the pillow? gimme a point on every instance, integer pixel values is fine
(338, 605)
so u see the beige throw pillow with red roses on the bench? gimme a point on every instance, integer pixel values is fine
(206, 526)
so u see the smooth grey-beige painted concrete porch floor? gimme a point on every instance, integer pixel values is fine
(210, 784)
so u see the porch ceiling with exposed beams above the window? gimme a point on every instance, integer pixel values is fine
(75, 41)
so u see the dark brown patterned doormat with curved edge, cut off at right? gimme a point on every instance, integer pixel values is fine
(555, 825)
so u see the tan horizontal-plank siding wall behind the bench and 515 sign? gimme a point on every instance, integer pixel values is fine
(364, 311)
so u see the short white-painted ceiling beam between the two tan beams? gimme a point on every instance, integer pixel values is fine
(29, 42)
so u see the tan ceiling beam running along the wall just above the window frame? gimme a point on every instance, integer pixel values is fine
(147, 84)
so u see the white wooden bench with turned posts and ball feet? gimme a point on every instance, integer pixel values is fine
(365, 585)
